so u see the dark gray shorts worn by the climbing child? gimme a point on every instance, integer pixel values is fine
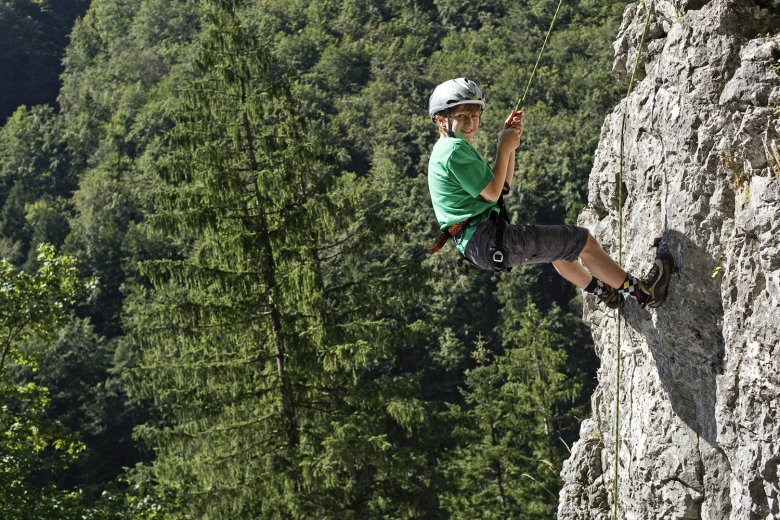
(526, 244)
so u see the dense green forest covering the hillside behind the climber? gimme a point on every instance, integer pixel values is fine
(215, 298)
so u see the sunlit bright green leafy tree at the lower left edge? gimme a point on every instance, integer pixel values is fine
(35, 448)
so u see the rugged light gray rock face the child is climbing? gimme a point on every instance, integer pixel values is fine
(699, 378)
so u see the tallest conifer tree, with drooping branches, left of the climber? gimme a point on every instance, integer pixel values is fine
(263, 341)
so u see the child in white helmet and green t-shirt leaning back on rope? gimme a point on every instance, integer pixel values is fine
(466, 192)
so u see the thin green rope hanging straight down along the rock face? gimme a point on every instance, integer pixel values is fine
(615, 508)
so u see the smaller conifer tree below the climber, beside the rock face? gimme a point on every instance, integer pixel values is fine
(517, 406)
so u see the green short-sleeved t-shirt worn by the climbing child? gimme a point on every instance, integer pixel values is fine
(457, 174)
